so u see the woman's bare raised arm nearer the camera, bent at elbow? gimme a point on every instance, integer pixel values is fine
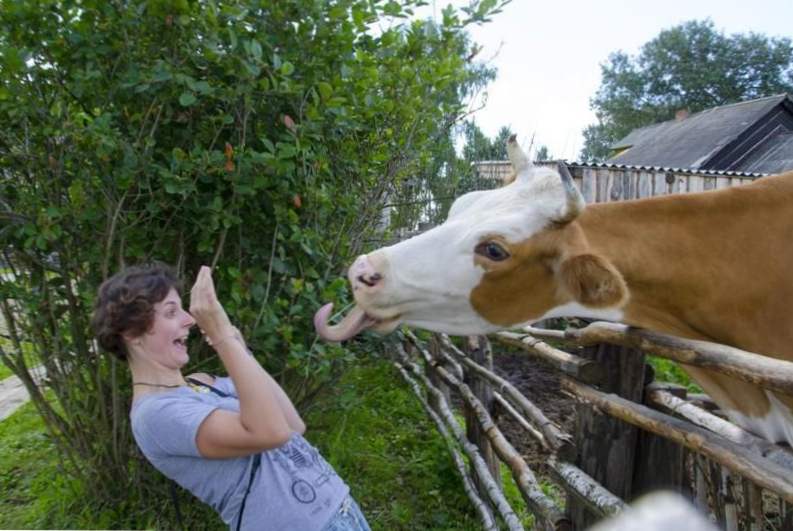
(260, 423)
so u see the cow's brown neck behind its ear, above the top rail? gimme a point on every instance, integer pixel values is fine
(712, 266)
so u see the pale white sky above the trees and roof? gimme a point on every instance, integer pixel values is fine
(548, 55)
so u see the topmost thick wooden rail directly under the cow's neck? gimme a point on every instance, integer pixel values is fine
(747, 366)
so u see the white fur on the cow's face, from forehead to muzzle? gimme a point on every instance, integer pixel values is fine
(428, 279)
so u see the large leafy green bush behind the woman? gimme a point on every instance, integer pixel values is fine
(259, 137)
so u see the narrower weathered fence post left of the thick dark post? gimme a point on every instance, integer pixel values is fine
(478, 348)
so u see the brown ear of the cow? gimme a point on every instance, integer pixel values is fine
(593, 281)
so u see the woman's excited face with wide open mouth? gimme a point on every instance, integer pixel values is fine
(166, 340)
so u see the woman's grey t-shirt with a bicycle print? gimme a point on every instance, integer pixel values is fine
(295, 489)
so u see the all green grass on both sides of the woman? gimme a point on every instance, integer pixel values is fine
(370, 427)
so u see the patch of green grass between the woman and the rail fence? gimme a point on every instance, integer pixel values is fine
(379, 440)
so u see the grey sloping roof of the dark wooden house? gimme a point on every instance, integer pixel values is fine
(692, 141)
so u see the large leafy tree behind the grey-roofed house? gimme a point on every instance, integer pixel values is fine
(691, 66)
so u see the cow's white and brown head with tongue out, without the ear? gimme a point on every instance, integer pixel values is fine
(495, 262)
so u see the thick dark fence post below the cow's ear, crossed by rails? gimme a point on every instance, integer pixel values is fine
(607, 446)
